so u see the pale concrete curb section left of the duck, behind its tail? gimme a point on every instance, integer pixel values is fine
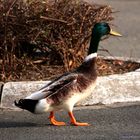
(15, 90)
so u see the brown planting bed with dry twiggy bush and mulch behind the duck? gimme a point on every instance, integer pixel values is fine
(59, 29)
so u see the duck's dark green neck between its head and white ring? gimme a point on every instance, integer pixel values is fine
(94, 43)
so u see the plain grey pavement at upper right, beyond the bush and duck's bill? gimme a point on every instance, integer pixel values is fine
(127, 22)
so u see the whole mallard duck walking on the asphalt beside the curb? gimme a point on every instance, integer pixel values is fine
(70, 88)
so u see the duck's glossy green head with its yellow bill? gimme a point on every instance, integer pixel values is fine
(102, 28)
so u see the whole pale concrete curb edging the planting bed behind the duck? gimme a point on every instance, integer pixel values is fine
(110, 89)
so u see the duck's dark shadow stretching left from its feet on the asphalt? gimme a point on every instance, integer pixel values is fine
(21, 124)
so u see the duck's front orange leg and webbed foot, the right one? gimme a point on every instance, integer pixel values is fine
(74, 122)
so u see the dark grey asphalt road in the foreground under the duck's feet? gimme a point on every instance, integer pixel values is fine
(121, 123)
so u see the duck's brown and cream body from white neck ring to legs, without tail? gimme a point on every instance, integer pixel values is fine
(67, 90)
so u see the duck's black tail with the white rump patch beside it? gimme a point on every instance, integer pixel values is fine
(34, 106)
